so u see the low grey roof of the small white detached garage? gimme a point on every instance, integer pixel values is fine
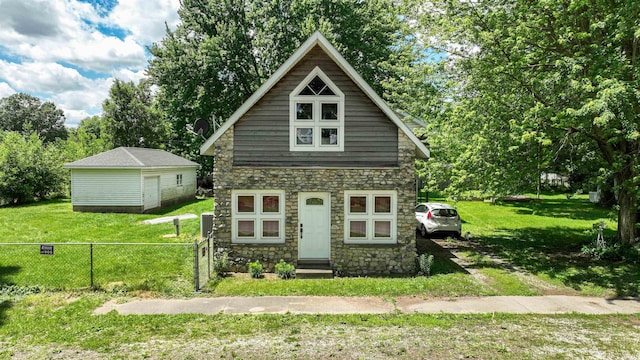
(131, 158)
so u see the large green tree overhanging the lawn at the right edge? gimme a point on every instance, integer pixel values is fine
(533, 79)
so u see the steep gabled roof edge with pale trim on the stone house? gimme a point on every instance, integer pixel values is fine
(317, 39)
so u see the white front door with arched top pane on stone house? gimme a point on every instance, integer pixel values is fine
(314, 226)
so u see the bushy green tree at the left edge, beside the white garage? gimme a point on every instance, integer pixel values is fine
(29, 169)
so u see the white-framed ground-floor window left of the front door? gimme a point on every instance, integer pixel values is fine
(258, 216)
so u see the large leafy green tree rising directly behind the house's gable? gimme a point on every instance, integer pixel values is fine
(223, 50)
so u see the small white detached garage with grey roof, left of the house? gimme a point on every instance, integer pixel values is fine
(131, 180)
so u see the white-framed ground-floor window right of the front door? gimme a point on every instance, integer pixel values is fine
(370, 217)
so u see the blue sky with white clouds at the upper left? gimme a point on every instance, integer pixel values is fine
(70, 51)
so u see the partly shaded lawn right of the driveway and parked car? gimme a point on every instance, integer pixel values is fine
(545, 239)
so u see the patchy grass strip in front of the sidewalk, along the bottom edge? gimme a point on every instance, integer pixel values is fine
(61, 326)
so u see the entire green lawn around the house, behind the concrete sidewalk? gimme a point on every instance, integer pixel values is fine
(542, 238)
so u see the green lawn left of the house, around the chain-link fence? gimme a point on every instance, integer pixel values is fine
(165, 266)
